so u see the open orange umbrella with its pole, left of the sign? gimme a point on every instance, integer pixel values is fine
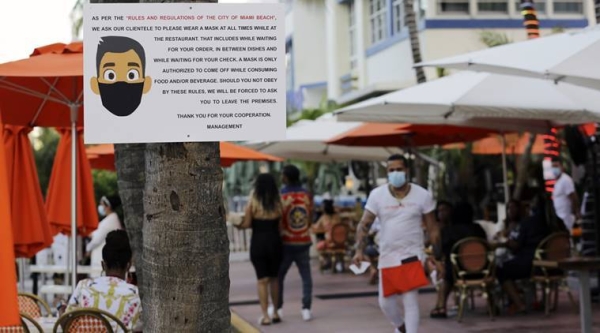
(46, 89)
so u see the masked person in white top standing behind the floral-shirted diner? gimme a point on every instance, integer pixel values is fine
(110, 222)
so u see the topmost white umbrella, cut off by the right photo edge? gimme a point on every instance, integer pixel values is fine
(568, 57)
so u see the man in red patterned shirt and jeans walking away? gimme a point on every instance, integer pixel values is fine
(297, 218)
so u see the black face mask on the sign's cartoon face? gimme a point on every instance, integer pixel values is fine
(121, 98)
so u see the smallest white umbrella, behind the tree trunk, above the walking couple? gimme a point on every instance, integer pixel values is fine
(307, 140)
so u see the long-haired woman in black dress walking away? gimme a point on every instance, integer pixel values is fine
(263, 214)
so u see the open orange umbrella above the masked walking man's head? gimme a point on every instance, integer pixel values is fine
(399, 135)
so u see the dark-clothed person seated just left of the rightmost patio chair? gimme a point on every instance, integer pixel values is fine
(522, 243)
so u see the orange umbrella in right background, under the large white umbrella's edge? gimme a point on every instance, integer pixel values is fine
(515, 144)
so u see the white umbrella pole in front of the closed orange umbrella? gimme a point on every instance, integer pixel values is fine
(73, 109)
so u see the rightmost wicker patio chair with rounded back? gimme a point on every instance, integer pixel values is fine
(555, 247)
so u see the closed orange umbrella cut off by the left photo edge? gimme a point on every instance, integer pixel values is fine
(9, 308)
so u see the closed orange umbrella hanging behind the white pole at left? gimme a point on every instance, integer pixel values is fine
(58, 203)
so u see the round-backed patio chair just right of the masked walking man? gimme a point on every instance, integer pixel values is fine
(473, 263)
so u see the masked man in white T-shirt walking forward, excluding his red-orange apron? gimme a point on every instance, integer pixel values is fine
(401, 208)
